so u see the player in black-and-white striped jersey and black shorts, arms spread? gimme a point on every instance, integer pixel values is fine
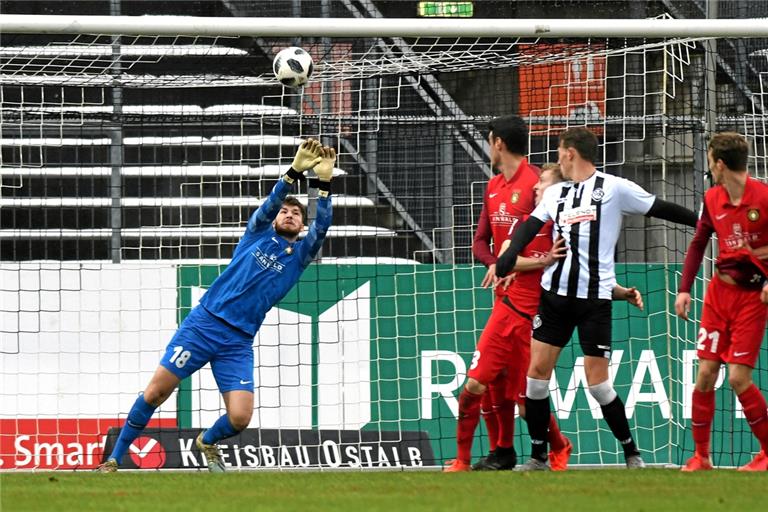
(577, 292)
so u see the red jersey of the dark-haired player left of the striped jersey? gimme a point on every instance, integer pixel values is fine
(505, 204)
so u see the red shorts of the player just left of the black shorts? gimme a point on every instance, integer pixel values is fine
(504, 346)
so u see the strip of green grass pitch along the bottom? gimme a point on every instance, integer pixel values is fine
(594, 490)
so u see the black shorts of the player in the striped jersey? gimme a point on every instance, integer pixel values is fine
(558, 316)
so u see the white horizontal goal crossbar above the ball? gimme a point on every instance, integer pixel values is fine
(382, 27)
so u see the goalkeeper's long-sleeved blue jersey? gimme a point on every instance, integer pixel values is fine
(264, 266)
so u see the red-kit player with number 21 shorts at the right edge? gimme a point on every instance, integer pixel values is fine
(734, 315)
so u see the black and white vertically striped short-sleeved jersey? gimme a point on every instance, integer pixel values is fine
(589, 215)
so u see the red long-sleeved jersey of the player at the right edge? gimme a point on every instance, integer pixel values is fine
(734, 225)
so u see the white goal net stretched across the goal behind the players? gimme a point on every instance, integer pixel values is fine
(130, 164)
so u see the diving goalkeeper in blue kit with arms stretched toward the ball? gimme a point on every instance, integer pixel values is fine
(266, 263)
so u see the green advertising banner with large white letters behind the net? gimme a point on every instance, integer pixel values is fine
(425, 321)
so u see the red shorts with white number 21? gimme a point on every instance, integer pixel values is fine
(732, 324)
